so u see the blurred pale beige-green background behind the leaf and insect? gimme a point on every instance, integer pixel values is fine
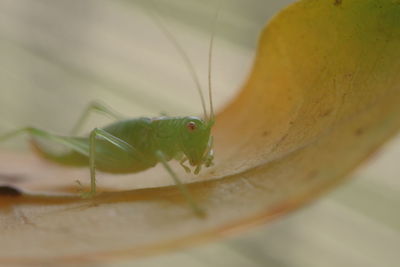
(57, 56)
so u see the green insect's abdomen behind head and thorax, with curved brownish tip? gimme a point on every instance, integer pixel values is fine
(110, 158)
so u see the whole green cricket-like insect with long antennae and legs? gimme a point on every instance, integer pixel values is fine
(134, 145)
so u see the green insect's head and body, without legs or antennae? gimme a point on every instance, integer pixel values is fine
(168, 135)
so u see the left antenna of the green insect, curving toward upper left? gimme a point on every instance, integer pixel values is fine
(182, 53)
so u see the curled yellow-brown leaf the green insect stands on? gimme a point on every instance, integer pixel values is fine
(324, 93)
